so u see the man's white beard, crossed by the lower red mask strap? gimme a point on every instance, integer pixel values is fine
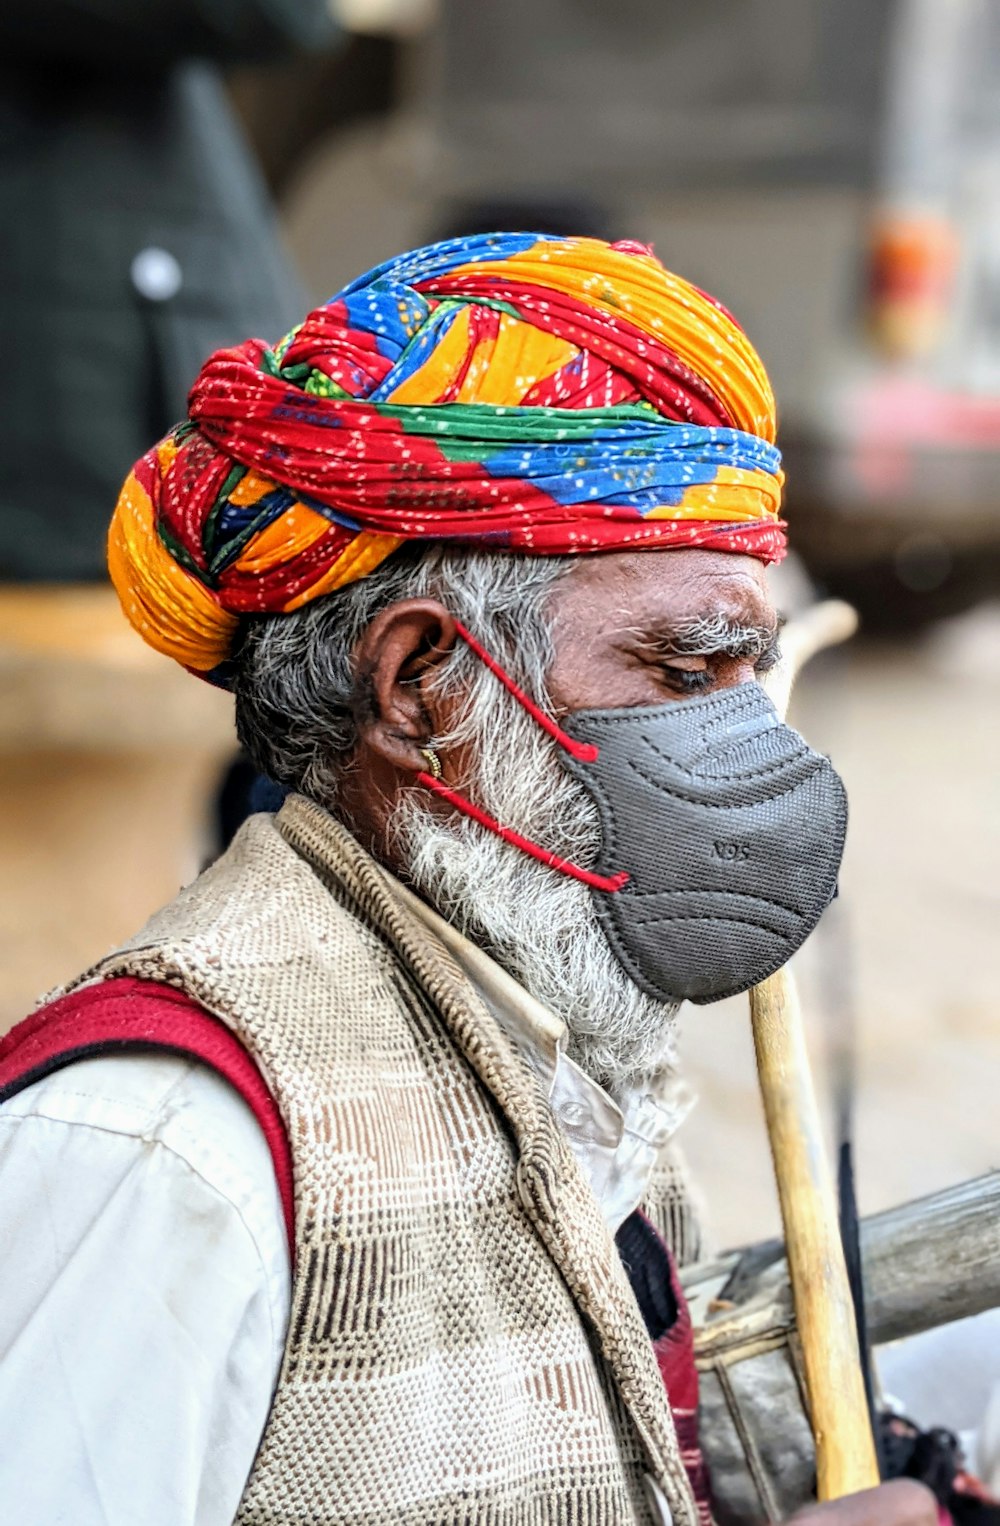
(540, 926)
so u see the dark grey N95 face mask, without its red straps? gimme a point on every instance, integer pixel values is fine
(731, 828)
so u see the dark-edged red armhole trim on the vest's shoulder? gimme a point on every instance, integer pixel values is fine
(143, 1017)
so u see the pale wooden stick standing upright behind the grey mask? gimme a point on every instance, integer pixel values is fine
(824, 1307)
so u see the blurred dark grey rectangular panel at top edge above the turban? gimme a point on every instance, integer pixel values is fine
(616, 97)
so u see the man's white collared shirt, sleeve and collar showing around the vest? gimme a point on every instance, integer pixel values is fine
(144, 1269)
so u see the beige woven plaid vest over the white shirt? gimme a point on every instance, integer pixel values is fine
(463, 1344)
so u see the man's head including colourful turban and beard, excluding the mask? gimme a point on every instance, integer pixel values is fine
(553, 445)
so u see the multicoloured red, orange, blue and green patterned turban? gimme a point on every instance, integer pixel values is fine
(515, 391)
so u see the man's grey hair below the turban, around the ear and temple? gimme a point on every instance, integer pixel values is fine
(297, 689)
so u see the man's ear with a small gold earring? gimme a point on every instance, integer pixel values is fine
(398, 715)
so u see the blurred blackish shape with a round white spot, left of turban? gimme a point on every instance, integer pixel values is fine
(138, 239)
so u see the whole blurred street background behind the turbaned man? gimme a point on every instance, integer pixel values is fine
(184, 173)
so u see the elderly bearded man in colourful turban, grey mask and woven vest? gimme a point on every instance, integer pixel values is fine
(422, 1020)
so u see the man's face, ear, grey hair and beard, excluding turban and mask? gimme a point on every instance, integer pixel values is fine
(343, 700)
